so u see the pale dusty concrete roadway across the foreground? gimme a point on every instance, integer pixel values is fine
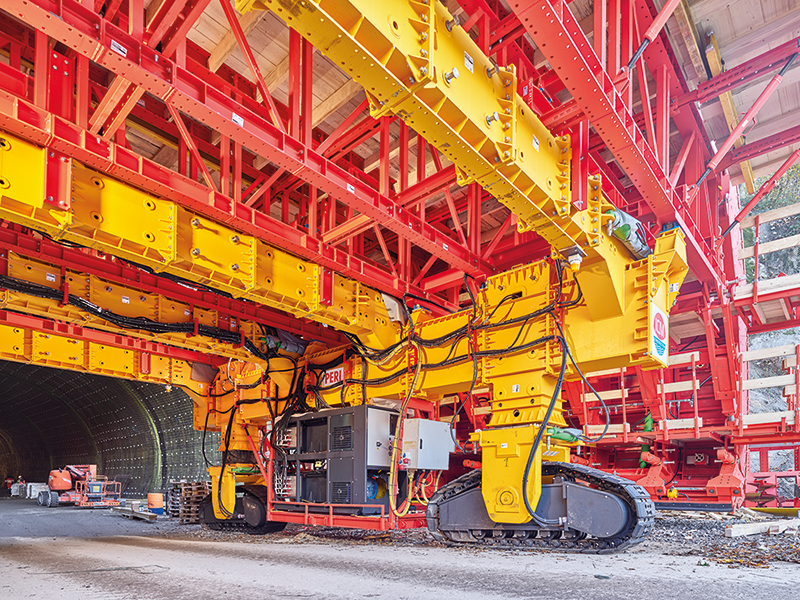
(48, 553)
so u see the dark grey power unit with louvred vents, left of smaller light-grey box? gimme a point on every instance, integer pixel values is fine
(338, 456)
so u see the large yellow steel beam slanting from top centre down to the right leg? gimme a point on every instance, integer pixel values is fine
(414, 61)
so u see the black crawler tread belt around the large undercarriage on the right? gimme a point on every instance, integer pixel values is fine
(641, 512)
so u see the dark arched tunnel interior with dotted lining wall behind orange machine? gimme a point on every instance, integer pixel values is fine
(136, 432)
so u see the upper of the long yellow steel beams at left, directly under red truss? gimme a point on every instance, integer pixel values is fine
(123, 221)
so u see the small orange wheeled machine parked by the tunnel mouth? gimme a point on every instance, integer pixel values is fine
(80, 485)
